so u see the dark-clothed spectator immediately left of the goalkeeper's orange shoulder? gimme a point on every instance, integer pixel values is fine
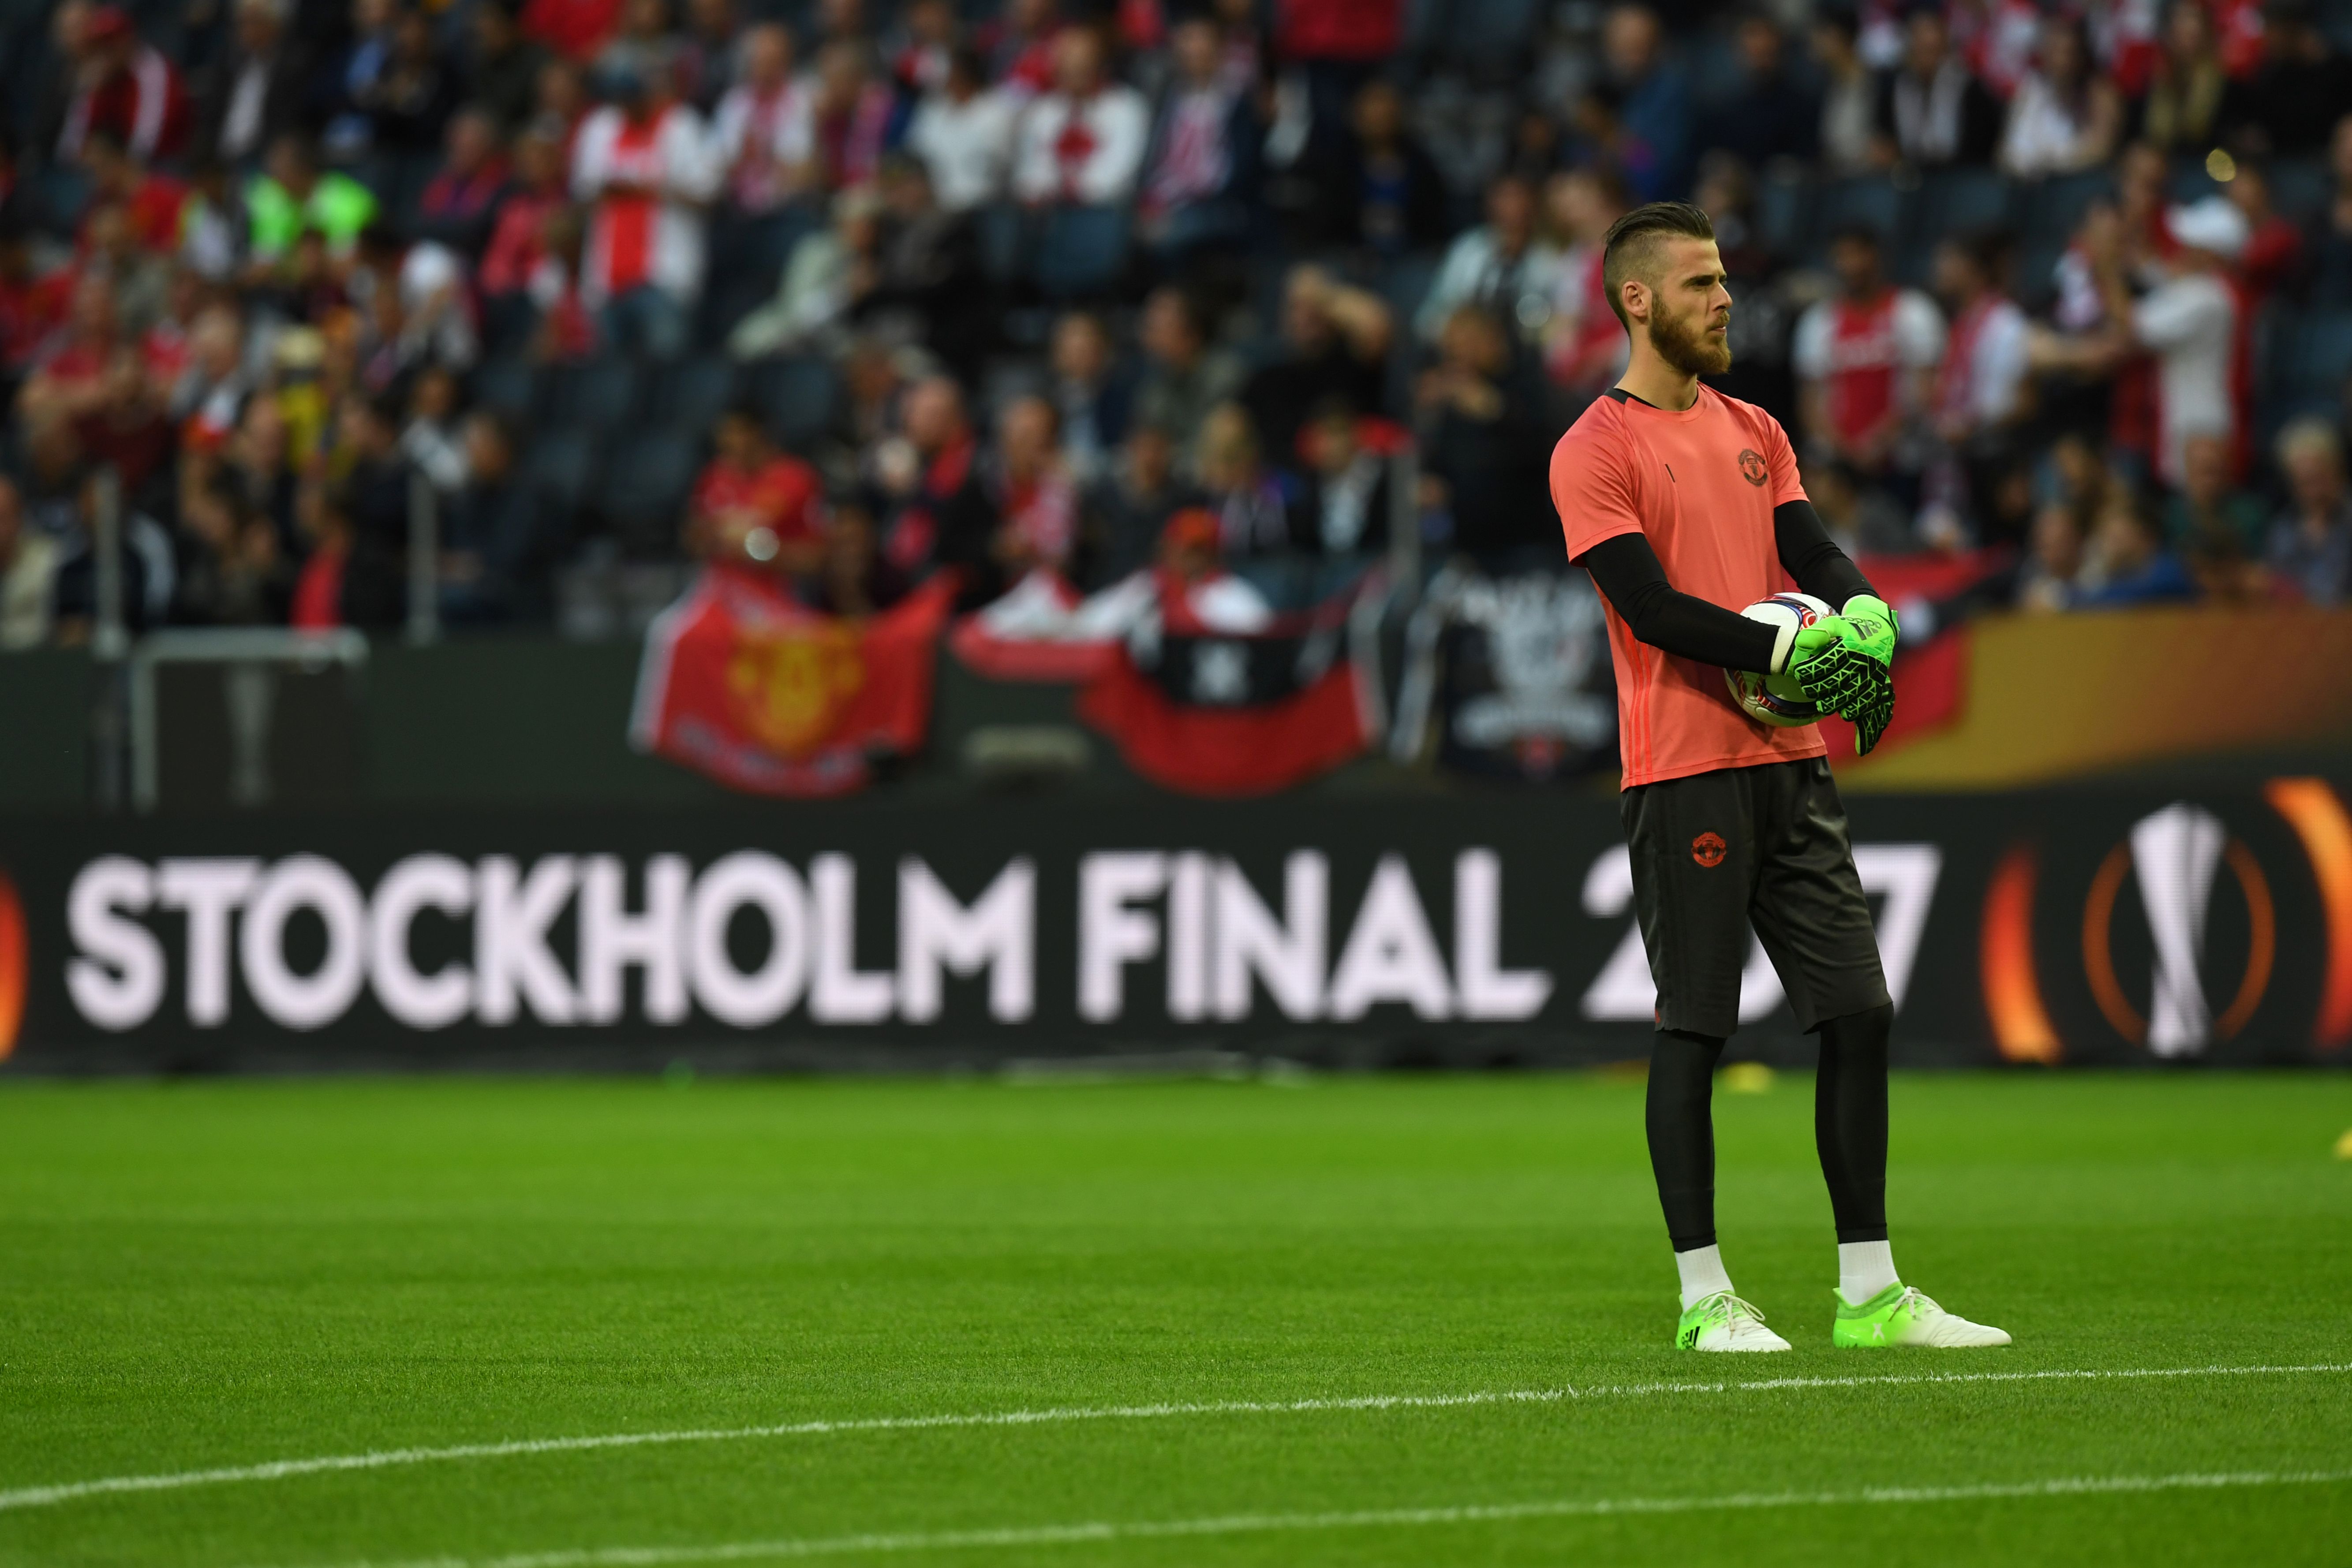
(1485, 443)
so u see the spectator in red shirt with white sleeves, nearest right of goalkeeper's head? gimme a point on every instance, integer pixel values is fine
(1866, 363)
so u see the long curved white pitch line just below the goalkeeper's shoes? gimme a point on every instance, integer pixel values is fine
(385, 1459)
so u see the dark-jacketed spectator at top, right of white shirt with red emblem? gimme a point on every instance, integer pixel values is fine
(1201, 149)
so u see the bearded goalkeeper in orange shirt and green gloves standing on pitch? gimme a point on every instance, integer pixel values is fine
(1685, 507)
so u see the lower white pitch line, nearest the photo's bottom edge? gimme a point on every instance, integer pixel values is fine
(1255, 1525)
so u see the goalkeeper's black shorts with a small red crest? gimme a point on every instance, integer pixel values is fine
(1756, 847)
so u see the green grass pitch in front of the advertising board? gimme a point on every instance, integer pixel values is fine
(234, 1273)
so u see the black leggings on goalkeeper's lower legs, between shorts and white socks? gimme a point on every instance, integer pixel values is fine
(1850, 1127)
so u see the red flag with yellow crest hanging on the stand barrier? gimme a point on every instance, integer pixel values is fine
(763, 695)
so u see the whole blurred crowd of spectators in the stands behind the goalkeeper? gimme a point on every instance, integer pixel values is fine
(850, 293)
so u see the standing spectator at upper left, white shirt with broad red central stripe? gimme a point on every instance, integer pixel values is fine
(646, 170)
